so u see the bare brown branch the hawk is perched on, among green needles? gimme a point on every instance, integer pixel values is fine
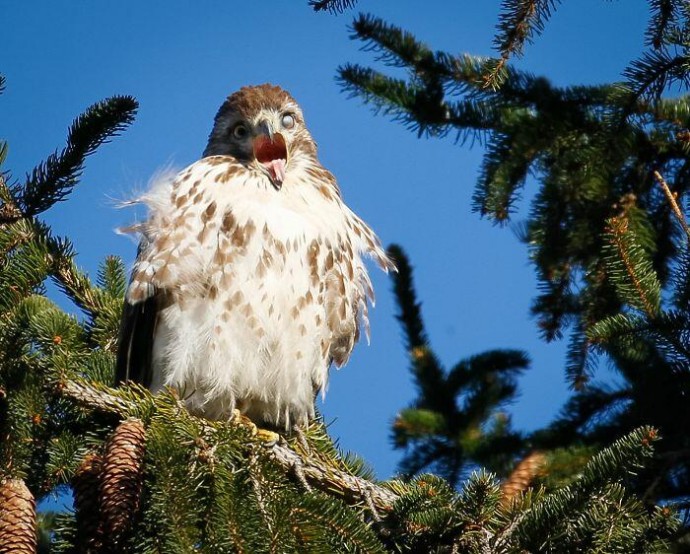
(333, 481)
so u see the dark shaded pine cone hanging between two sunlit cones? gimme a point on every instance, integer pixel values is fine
(87, 509)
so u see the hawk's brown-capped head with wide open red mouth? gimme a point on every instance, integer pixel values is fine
(263, 127)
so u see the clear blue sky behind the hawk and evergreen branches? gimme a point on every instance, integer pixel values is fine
(180, 59)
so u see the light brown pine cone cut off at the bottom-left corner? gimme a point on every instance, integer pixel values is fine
(17, 518)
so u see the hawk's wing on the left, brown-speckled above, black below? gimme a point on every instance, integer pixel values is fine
(175, 242)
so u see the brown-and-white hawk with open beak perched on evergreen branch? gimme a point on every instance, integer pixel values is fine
(249, 280)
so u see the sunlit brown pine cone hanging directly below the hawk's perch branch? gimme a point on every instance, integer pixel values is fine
(121, 478)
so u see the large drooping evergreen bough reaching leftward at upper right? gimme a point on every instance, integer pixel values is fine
(590, 159)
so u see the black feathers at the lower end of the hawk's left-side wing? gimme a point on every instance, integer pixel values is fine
(135, 343)
